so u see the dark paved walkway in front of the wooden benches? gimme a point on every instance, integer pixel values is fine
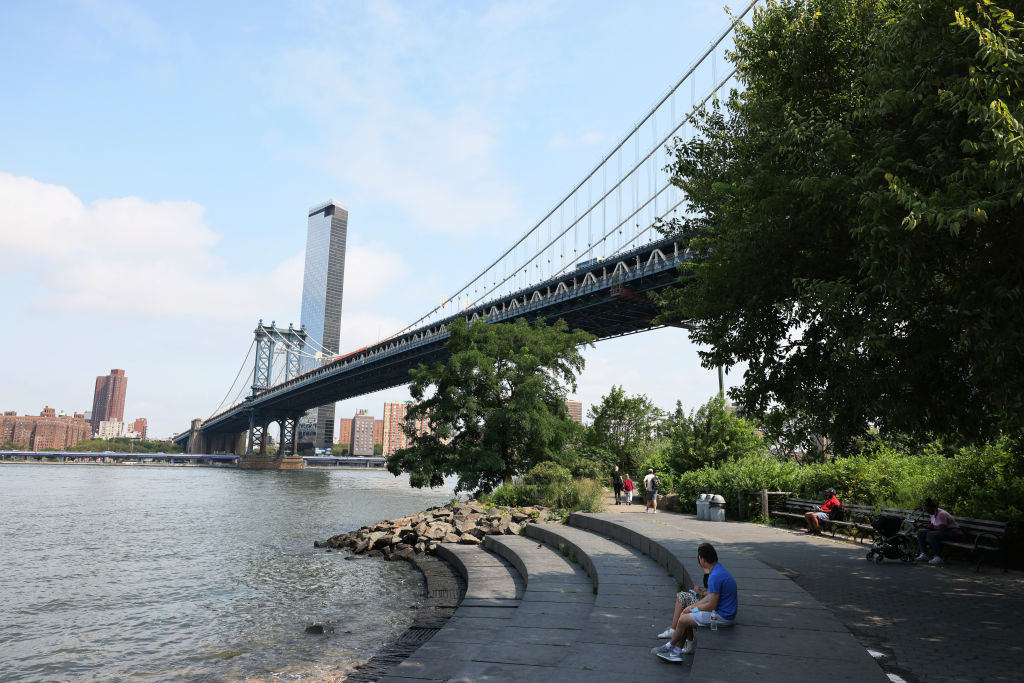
(929, 624)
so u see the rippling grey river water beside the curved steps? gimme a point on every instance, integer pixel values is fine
(139, 574)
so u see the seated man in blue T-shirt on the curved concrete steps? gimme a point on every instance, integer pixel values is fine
(719, 605)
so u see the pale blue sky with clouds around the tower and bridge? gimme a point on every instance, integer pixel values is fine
(158, 161)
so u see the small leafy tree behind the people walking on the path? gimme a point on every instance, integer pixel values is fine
(620, 424)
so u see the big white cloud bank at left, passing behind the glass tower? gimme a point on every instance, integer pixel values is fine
(151, 259)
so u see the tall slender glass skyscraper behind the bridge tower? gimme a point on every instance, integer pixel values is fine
(322, 289)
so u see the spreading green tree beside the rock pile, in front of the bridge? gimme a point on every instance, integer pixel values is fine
(496, 408)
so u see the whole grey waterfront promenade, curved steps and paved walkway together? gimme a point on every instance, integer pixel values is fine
(586, 603)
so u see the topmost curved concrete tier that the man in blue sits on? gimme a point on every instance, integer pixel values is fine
(783, 633)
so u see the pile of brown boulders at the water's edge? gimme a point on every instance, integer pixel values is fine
(457, 523)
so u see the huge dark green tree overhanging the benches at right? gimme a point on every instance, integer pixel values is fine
(855, 214)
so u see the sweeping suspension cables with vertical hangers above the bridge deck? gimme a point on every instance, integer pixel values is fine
(553, 246)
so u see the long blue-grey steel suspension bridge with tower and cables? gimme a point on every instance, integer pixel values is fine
(594, 261)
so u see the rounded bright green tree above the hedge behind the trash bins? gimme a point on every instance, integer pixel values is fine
(710, 437)
